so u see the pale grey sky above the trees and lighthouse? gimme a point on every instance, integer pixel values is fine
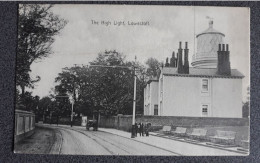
(80, 41)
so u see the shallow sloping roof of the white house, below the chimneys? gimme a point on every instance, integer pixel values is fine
(201, 72)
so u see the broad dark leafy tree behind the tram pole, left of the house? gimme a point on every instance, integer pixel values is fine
(102, 89)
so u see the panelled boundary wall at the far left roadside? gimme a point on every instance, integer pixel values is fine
(24, 124)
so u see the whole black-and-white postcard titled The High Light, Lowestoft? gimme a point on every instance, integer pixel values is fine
(132, 80)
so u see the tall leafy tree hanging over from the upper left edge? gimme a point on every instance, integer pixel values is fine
(37, 26)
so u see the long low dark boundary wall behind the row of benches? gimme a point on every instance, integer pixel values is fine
(125, 122)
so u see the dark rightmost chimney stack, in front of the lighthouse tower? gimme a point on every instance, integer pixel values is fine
(223, 60)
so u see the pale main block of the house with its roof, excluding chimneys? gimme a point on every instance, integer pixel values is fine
(201, 93)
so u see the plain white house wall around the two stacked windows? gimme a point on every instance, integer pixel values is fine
(224, 97)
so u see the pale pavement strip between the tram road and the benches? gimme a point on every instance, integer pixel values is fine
(180, 146)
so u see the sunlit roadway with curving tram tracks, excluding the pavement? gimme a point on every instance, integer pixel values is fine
(82, 142)
